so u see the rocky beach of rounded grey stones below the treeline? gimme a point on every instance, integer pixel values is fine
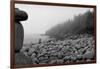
(73, 49)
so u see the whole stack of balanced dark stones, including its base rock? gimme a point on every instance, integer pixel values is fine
(20, 58)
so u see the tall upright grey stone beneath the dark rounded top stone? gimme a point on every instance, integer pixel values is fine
(19, 36)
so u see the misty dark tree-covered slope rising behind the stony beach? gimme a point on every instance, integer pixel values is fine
(80, 24)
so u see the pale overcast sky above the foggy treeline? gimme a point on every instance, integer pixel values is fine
(41, 18)
